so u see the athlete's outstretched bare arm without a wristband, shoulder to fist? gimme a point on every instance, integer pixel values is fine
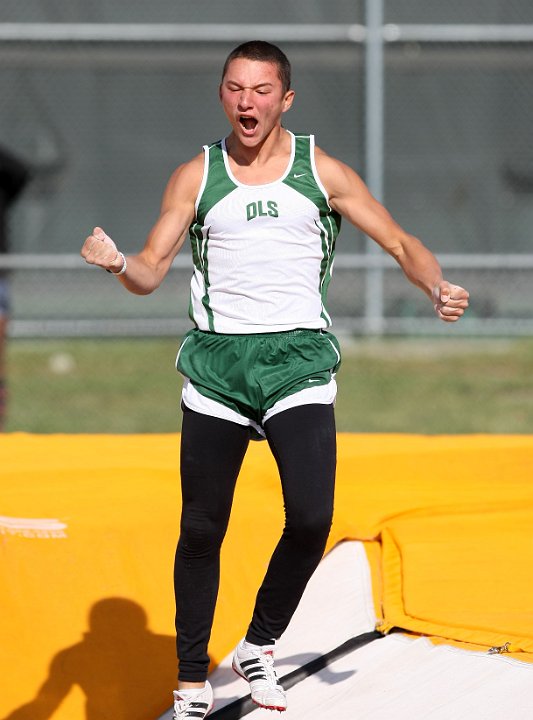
(350, 197)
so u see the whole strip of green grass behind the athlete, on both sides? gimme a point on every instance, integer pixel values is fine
(429, 386)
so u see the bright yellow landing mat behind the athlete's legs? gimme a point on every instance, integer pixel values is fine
(88, 526)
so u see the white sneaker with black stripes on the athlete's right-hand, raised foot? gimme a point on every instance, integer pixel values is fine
(257, 667)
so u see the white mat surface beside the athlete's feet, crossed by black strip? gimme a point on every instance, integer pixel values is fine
(391, 678)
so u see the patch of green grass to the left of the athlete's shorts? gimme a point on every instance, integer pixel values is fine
(93, 386)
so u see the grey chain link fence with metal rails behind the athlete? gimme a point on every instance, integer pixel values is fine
(103, 99)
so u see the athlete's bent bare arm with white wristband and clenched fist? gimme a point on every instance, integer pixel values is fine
(146, 270)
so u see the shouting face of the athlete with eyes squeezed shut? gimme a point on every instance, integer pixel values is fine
(253, 99)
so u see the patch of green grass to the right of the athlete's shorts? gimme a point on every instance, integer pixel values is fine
(437, 387)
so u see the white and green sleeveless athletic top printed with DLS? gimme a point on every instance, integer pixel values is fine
(263, 254)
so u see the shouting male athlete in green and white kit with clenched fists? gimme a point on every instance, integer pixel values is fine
(262, 209)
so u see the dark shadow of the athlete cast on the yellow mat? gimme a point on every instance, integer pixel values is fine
(125, 671)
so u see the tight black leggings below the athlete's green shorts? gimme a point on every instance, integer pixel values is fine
(303, 442)
